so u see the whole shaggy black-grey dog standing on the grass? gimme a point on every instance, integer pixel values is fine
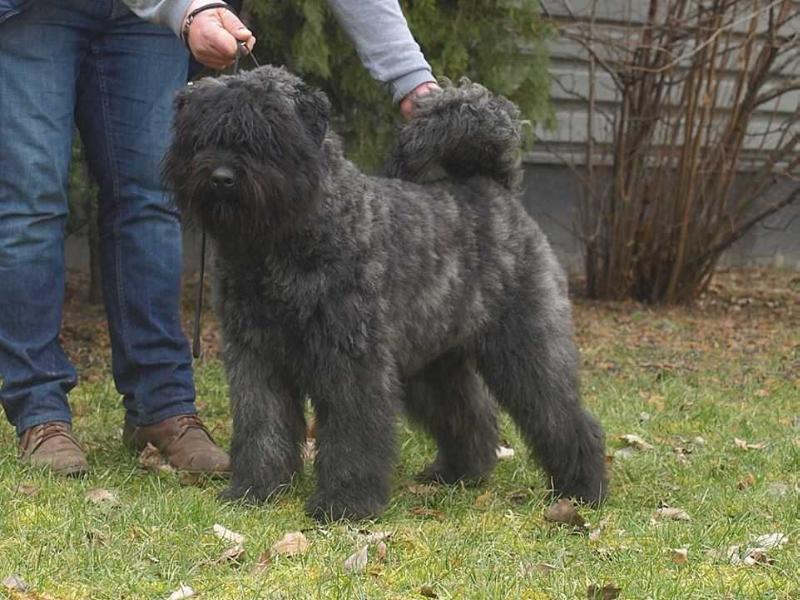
(366, 293)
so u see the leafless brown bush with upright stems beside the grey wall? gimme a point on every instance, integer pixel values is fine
(692, 79)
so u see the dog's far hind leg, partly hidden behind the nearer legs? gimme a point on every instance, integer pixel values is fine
(449, 400)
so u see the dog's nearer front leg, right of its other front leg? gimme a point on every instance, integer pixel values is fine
(356, 415)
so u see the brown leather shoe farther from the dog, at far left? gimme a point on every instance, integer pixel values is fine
(52, 446)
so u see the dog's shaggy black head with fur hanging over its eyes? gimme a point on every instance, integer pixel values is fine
(246, 154)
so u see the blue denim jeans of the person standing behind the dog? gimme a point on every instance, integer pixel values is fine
(94, 64)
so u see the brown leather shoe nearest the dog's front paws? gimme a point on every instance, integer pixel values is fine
(183, 441)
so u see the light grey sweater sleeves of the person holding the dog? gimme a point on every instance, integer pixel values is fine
(377, 27)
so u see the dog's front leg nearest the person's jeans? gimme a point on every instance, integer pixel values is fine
(268, 427)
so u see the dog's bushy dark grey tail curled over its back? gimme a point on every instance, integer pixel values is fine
(459, 132)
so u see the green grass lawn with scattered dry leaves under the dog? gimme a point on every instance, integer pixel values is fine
(686, 381)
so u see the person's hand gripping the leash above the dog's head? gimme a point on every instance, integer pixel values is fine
(214, 34)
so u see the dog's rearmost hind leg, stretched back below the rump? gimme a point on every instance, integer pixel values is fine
(529, 362)
